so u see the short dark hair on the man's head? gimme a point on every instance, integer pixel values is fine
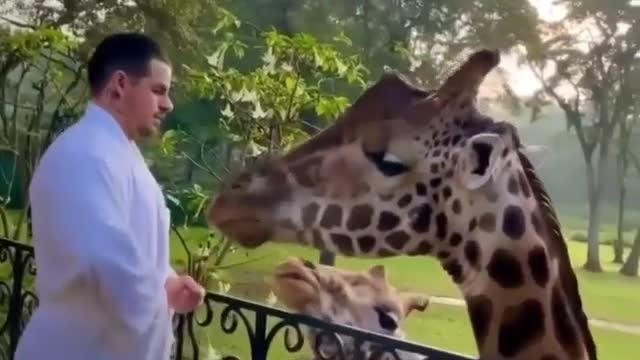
(128, 51)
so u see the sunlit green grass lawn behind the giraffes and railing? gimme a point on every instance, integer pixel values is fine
(607, 296)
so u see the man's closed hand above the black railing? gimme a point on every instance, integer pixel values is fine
(183, 293)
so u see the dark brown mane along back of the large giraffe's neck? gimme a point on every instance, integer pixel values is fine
(557, 243)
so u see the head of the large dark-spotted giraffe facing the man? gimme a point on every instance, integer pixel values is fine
(397, 174)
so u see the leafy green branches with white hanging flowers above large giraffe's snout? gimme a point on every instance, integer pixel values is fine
(264, 107)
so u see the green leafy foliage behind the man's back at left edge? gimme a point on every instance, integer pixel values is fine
(40, 74)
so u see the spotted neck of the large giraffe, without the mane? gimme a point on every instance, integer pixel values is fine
(516, 299)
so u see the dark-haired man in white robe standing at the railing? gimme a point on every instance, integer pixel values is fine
(100, 224)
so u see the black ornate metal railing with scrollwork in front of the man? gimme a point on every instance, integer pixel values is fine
(268, 332)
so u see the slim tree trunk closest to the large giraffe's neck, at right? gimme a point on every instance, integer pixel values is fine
(595, 200)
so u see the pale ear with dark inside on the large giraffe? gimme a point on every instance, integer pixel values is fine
(482, 154)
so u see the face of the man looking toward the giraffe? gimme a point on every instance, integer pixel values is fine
(146, 101)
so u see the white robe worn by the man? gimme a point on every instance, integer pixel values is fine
(101, 238)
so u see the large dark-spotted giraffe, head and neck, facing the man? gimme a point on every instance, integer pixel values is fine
(406, 171)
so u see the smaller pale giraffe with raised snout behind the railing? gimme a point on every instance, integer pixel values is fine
(361, 299)
